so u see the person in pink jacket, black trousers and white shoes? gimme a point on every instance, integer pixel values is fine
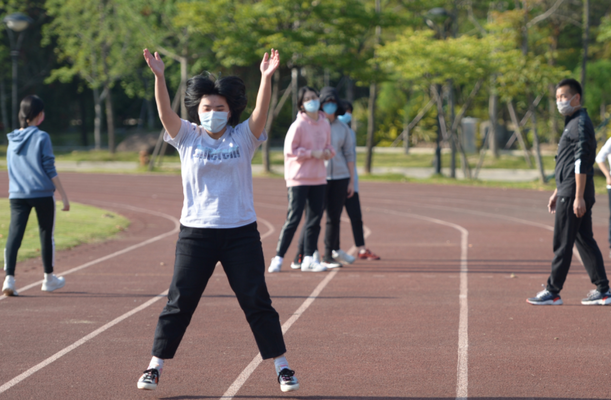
(306, 147)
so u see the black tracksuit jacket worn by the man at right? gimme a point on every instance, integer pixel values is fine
(576, 154)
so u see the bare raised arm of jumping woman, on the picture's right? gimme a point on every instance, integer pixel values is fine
(257, 120)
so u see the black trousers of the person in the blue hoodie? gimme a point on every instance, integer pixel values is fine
(20, 213)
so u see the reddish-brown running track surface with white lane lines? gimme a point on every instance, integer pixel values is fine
(439, 317)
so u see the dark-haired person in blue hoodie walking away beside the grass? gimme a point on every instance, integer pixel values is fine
(32, 182)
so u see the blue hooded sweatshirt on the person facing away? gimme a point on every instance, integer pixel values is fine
(31, 164)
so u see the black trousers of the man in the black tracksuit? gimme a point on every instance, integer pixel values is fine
(568, 231)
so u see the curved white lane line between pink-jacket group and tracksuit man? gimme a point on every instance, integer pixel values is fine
(462, 368)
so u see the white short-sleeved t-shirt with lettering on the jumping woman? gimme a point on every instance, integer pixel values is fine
(216, 175)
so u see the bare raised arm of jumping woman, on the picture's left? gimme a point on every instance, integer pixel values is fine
(170, 120)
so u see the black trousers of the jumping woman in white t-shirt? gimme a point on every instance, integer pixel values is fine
(197, 252)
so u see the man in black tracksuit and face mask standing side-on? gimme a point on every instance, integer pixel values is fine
(572, 202)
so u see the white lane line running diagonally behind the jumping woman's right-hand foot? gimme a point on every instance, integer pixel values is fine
(252, 366)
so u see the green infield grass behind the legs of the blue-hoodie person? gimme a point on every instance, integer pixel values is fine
(82, 224)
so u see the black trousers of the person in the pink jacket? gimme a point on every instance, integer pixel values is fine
(310, 198)
